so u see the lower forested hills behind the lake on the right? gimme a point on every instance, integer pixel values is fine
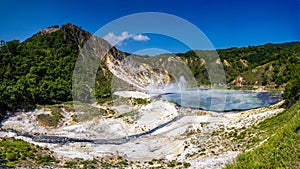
(269, 64)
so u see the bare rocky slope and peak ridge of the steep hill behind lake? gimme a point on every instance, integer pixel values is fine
(115, 68)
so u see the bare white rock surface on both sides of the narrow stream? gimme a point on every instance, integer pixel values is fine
(167, 142)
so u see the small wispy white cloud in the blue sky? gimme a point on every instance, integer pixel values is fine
(117, 40)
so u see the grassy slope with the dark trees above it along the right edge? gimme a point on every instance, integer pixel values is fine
(282, 149)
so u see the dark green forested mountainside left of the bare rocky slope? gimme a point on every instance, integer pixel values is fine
(39, 70)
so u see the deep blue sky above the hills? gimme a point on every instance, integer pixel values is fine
(226, 23)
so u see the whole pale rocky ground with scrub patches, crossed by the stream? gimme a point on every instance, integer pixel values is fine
(202, 138)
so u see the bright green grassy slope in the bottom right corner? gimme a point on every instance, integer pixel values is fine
(282, 150)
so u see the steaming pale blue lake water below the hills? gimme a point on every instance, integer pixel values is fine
(223, 100)
